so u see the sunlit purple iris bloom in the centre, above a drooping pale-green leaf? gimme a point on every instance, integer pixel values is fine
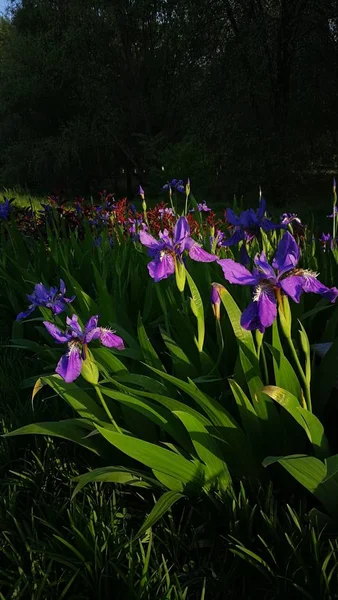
(169, 249)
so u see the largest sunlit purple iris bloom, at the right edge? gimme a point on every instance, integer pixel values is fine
(270, 281)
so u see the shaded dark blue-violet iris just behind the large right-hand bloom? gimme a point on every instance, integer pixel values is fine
(249, 222)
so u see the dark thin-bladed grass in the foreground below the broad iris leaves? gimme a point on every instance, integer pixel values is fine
(249, 543)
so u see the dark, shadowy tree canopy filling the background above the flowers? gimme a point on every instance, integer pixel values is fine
(230, 92)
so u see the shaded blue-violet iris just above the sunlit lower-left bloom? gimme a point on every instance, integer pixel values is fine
(49, 297)
